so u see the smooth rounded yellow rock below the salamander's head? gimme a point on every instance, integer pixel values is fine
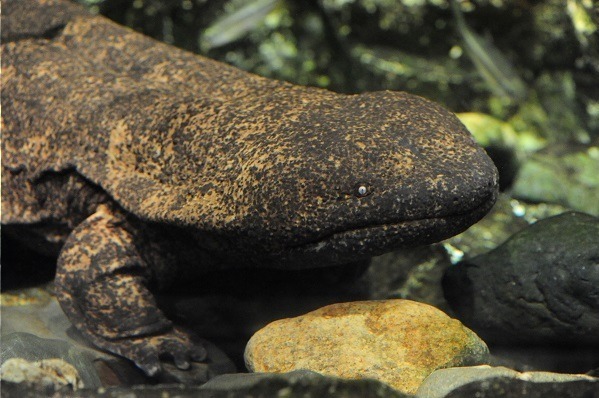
(398, 342)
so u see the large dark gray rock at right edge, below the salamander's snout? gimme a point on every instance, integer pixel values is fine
(540, 287)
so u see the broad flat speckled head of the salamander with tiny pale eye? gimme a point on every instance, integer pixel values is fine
(360, 175)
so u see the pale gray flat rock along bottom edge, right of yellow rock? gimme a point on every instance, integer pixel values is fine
(444, 382)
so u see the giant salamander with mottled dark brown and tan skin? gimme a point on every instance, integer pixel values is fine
(145, 165)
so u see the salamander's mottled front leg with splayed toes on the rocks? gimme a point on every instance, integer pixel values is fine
(101, 284)
